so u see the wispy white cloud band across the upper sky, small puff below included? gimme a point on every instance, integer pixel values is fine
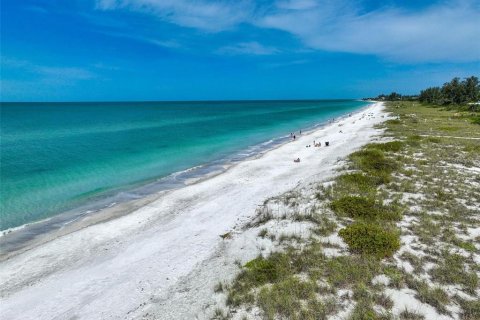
(441, 32)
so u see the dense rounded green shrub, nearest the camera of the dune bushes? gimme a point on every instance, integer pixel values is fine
(371, 239)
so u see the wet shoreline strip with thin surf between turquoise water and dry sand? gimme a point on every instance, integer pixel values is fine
(21, 238)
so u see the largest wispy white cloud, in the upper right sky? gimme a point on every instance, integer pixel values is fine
(447, 32)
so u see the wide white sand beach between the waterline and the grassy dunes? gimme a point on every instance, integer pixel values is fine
(162, 260)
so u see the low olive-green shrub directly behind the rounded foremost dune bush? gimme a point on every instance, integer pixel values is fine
(364, 208)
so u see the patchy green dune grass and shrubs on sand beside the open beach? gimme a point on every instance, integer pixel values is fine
(405, 210)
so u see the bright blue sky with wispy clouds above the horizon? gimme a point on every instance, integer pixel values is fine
(74, 50)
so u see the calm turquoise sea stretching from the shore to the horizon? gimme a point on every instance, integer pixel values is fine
(58, 156)
